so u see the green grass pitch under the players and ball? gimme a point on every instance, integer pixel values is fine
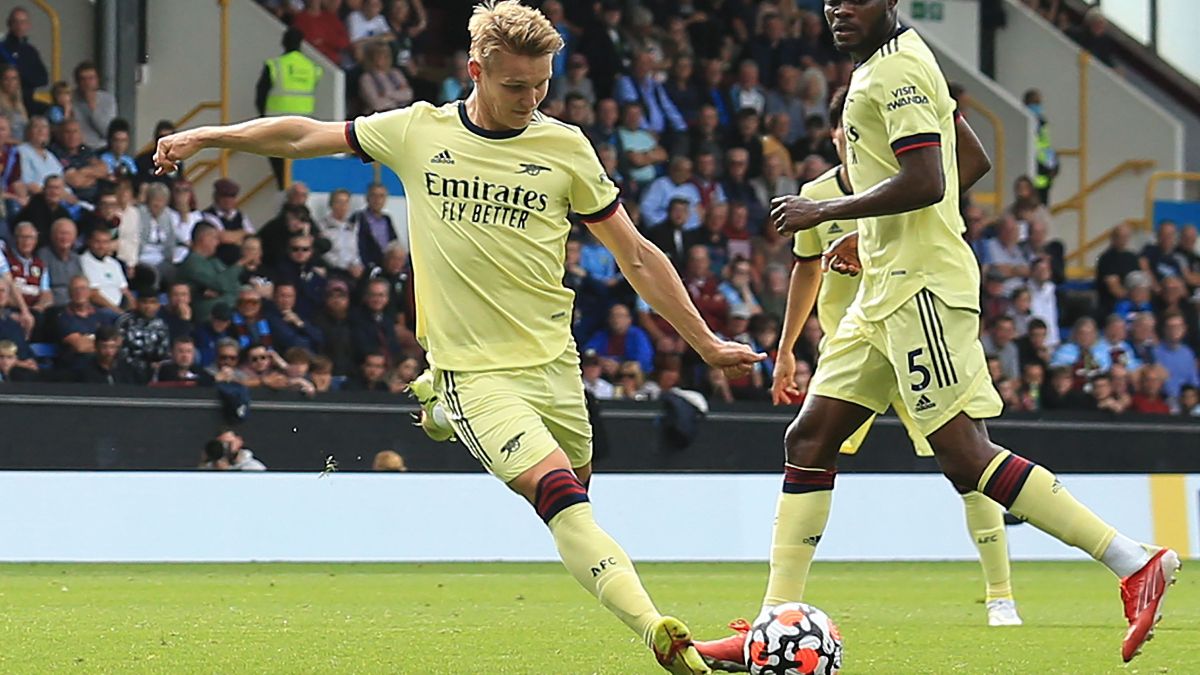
(532, 619)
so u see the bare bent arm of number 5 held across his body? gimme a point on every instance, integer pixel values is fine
(921, 183)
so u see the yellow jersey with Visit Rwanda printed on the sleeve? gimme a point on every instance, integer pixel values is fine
(899, 101)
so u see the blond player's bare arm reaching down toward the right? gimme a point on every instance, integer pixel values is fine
(652, 276)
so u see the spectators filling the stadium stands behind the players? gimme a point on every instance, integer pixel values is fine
(700, 111)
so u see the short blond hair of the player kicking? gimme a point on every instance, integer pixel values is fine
(511, 27)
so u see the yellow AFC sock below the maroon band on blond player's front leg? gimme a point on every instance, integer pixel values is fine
(602, 566)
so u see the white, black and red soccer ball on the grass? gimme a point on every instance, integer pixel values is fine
(794, 640)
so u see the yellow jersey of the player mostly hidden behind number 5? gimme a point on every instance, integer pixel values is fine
(838, 291)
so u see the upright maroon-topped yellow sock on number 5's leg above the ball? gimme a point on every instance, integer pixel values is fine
(801, 518)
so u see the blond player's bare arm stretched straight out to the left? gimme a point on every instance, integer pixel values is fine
(292, 138)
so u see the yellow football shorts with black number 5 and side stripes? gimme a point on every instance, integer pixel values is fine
(926, 356)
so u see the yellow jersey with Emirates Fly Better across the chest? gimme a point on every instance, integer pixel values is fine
(488, 229)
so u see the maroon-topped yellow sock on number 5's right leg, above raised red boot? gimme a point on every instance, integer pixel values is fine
(1036, 495)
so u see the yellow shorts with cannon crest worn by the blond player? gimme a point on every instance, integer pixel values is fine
(512, 420)
